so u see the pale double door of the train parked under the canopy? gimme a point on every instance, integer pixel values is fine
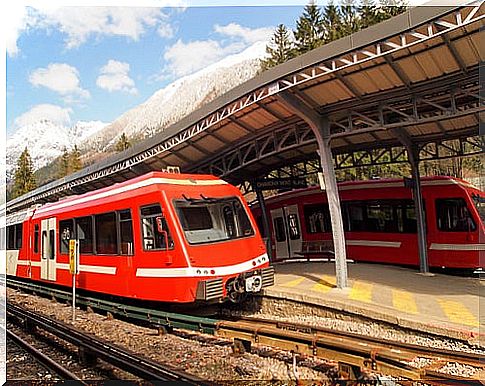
(287, 231)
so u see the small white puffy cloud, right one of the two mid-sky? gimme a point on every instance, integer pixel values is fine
(114, 77)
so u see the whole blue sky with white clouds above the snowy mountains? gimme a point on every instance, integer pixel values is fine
(94, 63)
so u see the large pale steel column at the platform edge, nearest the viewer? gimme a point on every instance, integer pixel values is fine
(320, 125)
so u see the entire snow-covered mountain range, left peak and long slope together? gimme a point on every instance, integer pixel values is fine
(46, 140)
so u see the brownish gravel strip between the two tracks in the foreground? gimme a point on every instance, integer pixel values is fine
(203, 359)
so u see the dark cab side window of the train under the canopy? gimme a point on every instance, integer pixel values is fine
(452, 215)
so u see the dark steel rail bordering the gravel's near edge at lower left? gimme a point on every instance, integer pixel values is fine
(108, 352)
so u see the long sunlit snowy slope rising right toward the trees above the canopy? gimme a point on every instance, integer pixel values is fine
(180, 98)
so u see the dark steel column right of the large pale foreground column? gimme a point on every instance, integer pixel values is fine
(413, 157)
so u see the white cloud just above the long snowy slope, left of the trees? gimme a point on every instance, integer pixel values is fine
(186, 58)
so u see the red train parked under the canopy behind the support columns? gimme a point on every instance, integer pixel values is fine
(380, 223)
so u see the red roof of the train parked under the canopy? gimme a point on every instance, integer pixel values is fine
(377, 183)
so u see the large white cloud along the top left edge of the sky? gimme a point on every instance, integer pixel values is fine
(92, 20)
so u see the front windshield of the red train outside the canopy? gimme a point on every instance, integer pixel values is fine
(208, 220)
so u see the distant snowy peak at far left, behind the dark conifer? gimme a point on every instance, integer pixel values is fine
(46, 140)
